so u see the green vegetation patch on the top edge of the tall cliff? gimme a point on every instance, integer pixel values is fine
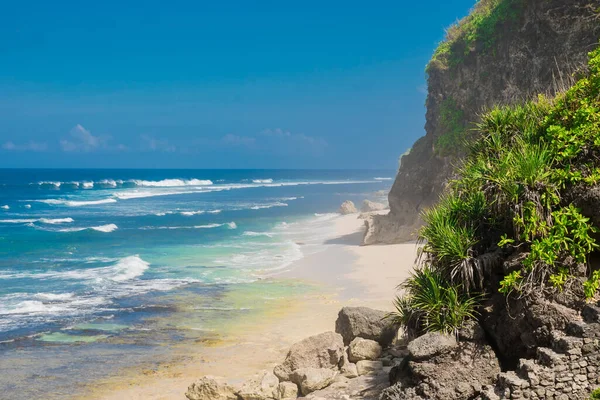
(479, 28)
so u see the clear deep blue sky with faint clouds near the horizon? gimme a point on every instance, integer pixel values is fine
(227, 84)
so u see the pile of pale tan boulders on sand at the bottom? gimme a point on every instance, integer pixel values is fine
(322, 366)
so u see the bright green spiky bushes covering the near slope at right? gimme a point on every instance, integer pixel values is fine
(511, 199)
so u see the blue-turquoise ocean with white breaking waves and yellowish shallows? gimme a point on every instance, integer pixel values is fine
(99, 269)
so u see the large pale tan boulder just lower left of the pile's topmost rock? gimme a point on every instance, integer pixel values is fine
(320, 351)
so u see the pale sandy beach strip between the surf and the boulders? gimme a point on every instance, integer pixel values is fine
(343, 274)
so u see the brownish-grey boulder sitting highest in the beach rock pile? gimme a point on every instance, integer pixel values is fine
(353, 322)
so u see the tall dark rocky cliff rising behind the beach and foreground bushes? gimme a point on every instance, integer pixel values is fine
(507, 51)
